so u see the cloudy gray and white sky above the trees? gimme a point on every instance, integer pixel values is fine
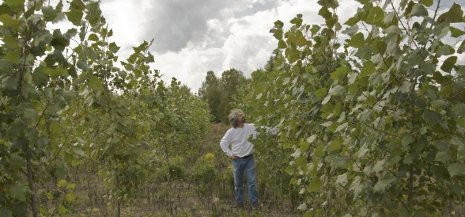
(192, 37)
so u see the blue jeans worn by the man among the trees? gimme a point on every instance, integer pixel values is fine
(247, 166)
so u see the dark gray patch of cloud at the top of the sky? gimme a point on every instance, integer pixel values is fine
(175, 23)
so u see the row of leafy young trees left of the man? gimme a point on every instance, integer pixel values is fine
(68, 102)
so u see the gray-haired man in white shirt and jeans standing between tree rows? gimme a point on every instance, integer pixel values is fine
(240, 153)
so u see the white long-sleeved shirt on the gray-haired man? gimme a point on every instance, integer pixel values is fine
(238, 139)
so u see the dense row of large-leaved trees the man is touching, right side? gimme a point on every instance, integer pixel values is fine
(370, 111)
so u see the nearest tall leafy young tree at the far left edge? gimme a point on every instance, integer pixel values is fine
(35, 74)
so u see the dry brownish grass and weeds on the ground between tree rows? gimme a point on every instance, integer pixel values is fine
(181, 196)
